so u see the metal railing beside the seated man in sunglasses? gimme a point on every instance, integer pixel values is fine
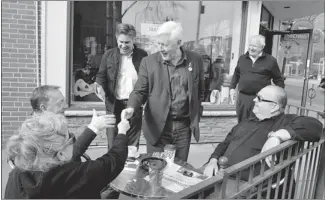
(292, 172)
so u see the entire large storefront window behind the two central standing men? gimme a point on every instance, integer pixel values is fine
(211, 28)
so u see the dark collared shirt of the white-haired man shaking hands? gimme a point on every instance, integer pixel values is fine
(179, 88)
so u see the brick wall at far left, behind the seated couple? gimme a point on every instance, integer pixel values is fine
(19, 64)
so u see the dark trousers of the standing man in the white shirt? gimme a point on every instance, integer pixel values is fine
(135, 125)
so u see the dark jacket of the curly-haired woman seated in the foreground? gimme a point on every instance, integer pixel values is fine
(73, 180)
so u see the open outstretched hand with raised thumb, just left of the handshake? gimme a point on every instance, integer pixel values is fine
(99, 123)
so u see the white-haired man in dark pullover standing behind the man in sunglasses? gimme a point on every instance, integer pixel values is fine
(254, 71)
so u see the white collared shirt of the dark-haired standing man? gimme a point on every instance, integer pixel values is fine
(126, 78)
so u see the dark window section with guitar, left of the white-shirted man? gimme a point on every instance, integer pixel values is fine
(89, 42)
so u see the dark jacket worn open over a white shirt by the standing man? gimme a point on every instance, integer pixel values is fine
(108, 71)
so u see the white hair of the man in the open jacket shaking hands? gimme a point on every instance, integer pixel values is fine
(172, 29)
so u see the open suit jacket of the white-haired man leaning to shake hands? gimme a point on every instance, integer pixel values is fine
(153, 88)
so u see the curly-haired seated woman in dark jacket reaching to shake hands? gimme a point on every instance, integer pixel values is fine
(42, 153)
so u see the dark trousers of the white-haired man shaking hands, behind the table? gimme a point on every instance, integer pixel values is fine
(176, 132)
